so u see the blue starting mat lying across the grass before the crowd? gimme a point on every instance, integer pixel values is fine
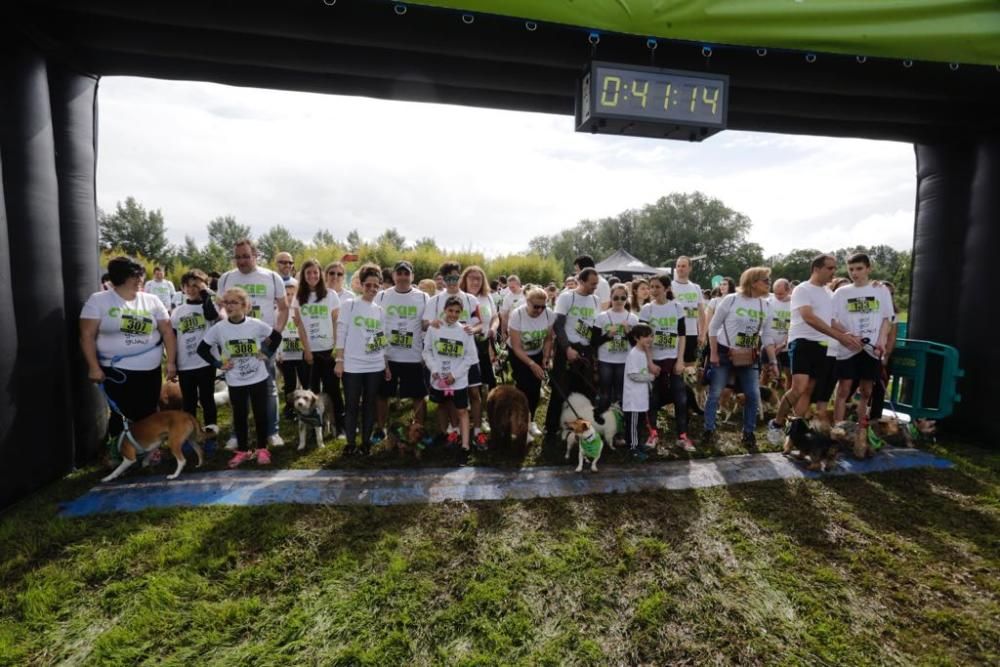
(435, 485)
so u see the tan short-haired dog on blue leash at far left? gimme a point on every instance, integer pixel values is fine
(174, 427)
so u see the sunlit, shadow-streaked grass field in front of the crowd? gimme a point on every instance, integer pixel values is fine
(895, 568)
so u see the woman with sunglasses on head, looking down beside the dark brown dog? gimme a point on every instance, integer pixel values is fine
(530, 340)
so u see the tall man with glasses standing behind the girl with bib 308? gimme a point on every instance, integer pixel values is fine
(267, 303)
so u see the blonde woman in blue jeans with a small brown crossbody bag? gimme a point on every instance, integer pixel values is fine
(742, 320)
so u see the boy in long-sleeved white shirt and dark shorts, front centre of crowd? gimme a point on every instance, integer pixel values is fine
(449, 352)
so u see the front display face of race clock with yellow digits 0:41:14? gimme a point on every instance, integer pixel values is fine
(682, 99)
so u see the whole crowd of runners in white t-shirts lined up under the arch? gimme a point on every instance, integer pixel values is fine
(449, 339)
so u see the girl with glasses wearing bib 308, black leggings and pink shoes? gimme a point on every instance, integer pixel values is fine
(245, 343)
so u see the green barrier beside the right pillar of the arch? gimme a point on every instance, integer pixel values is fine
(924, 382)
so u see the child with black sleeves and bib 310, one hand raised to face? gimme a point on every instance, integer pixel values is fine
(191, 321)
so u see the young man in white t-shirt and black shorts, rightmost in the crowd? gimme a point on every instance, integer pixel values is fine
(863, 310)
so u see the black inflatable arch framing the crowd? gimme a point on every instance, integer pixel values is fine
(52, 53)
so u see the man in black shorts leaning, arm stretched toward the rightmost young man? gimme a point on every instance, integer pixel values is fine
(811, 329)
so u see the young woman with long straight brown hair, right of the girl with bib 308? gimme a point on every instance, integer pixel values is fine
(315, 311)
